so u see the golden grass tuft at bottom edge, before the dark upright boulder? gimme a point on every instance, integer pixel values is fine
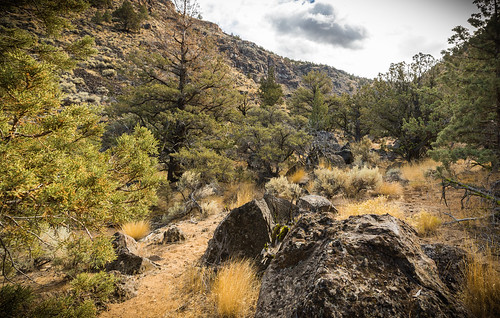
(236, 289)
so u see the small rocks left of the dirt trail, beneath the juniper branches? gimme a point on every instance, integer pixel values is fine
(127, 261)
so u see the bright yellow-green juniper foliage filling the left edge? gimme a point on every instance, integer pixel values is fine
(53, 173)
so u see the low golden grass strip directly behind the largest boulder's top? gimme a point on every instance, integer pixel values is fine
(379, 205)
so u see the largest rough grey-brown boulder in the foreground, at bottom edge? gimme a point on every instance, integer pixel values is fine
(365, 266)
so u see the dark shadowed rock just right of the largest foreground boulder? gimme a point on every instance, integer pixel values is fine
(450, 262)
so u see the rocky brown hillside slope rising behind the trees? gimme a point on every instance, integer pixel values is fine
(101, 77)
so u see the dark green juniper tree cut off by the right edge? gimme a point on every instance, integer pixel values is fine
(471, 86)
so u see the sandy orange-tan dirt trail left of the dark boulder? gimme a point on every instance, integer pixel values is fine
(157, 287)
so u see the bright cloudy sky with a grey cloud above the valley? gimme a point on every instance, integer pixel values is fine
(362, 37)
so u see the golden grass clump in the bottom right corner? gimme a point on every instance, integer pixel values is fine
(481, 293)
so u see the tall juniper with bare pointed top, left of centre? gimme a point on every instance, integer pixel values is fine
(183, 95)
